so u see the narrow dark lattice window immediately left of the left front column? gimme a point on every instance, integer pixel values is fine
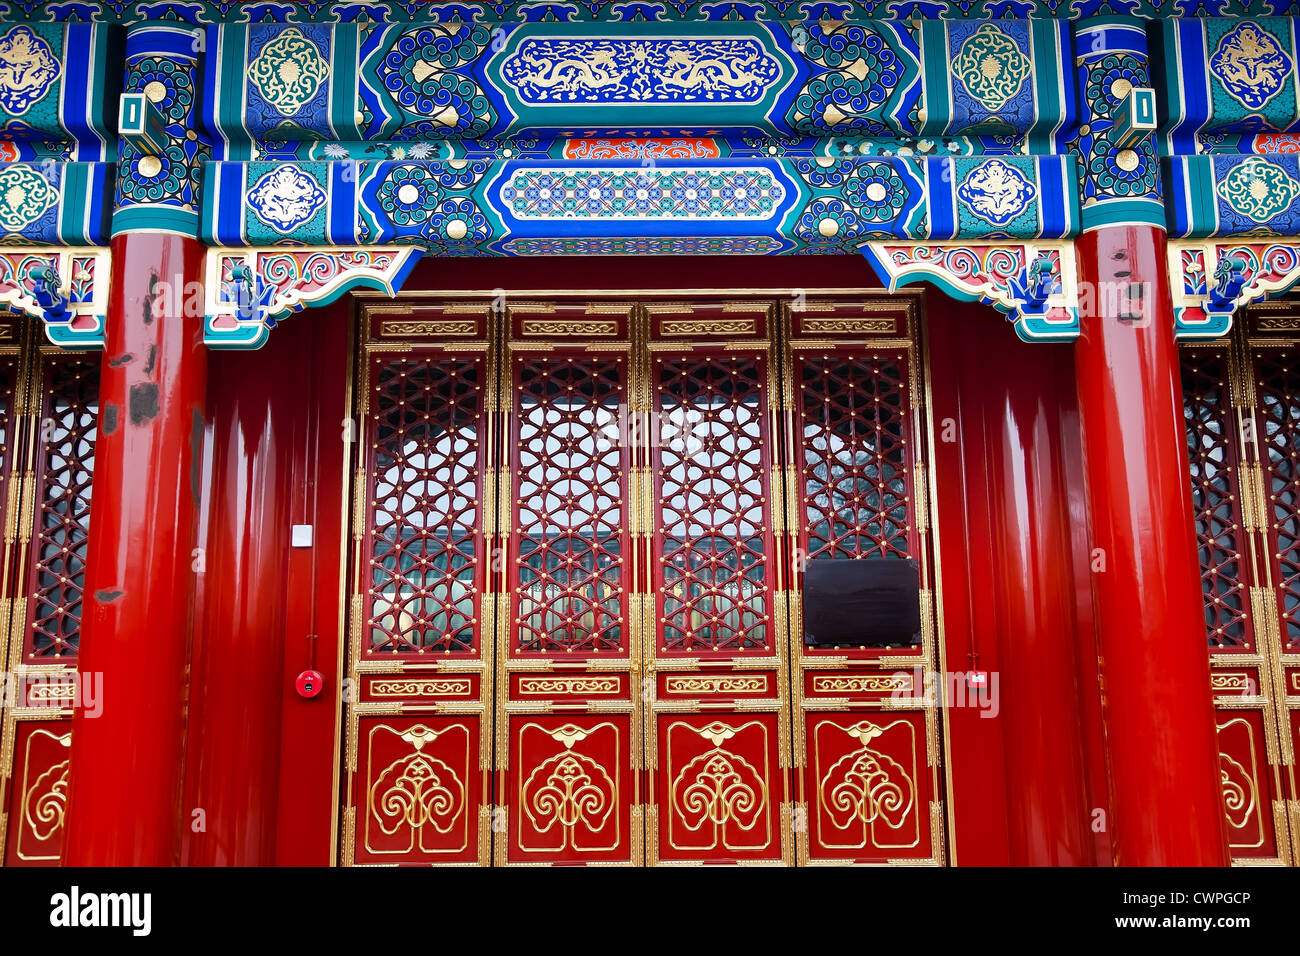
(67, 443)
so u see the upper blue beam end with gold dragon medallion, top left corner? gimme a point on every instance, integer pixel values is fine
(58, 85)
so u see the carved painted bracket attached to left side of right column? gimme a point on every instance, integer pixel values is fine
(1034, 284)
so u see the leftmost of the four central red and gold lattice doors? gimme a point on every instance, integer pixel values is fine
(419, 720)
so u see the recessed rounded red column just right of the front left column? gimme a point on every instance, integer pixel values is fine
(254, 405)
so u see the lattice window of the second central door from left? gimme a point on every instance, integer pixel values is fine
(570, 529)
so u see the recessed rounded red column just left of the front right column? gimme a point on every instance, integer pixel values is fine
(1047, 791)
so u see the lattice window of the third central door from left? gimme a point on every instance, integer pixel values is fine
(712, 453)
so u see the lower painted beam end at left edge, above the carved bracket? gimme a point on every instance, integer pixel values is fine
(55, 204)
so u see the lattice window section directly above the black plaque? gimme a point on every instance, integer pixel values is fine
(856, 475)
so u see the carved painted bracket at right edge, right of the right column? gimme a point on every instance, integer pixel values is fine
(1214, 279)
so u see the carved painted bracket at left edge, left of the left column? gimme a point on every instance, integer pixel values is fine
(66, 288)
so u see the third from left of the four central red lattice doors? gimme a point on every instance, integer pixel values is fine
(718, 730)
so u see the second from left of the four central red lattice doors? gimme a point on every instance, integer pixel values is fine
(569, 715)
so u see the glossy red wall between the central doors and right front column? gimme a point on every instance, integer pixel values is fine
(1024, 782)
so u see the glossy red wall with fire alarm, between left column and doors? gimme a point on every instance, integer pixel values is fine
(262, 760)
